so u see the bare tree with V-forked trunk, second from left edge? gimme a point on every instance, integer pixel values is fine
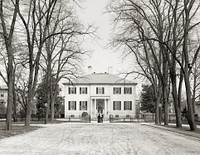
(39, 12)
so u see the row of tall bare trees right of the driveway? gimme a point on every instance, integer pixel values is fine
(164, 38)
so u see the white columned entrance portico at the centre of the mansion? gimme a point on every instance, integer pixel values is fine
(99, 104)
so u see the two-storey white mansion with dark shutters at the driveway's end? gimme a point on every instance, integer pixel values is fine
(100, 92)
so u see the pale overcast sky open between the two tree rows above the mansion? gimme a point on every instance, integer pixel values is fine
(94, 12)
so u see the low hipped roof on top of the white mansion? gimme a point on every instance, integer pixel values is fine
(101, 79)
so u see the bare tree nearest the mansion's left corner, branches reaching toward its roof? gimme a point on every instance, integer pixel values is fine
(63, 52)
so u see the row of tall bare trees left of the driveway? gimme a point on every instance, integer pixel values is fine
(38, 37)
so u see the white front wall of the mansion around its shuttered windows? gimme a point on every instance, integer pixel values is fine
(108, 92)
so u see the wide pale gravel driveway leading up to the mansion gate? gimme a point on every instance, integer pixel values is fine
(104, 139)
